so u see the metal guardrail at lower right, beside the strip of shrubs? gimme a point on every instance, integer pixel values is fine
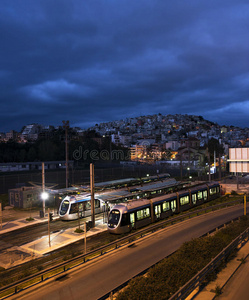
(196, 281)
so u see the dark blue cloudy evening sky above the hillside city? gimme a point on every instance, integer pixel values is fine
(93, 61)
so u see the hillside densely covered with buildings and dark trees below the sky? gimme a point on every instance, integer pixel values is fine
(172, 139)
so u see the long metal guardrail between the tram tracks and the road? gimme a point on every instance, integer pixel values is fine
(61, 268)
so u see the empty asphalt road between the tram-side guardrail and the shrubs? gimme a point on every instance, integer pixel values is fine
(96, 278)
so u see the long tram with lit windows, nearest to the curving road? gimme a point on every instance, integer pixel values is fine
(124, 217)
